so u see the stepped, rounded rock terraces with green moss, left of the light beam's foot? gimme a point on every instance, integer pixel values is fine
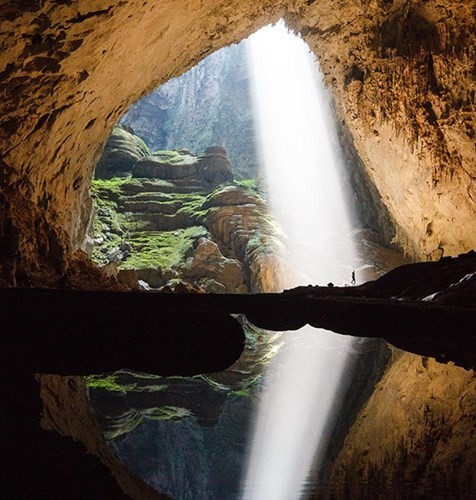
(180, 217)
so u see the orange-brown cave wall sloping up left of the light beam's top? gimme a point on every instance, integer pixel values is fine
(69, 70)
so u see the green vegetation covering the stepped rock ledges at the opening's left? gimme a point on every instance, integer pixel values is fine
(147, 248)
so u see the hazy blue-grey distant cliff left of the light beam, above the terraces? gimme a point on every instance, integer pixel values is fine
(210, 104)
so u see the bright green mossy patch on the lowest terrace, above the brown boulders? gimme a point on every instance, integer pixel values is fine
(161, 249)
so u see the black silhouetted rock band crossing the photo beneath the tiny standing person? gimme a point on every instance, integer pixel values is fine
(433, 317)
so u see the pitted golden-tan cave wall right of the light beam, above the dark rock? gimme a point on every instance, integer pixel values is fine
(403, 77)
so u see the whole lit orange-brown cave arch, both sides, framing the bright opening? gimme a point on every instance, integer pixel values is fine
(402, 75)
